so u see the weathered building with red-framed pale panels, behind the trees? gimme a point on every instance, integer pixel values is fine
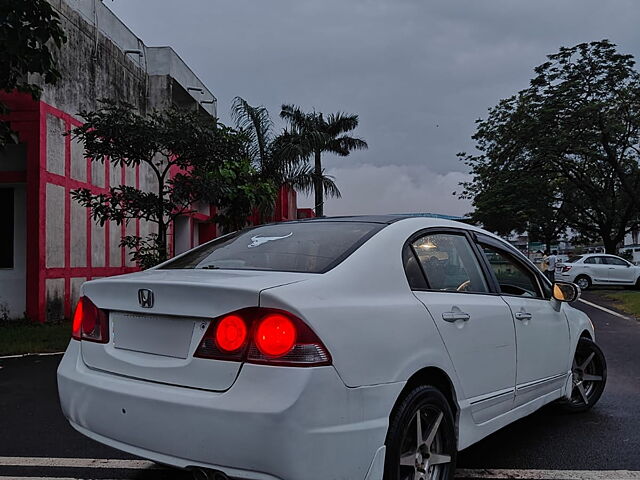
(60, 245)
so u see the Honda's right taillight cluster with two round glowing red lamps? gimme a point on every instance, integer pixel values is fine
(264, 336)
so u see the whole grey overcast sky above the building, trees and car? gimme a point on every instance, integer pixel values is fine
(417, 72)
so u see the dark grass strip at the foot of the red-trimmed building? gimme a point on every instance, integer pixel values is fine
(18, 337)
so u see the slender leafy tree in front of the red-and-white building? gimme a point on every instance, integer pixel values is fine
(191, 157)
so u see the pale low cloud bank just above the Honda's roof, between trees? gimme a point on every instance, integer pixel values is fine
(373, 189)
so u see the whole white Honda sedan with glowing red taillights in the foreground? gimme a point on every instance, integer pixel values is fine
(355, 348)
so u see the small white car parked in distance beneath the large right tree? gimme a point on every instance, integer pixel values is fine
(598, 269)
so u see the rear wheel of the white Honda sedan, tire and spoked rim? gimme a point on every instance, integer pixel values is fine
(429, 455)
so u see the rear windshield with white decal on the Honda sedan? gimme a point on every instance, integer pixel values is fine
(310, 247)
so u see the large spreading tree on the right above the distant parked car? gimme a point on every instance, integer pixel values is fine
(565, 151)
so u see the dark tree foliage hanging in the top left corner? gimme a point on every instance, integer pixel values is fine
(28, 30)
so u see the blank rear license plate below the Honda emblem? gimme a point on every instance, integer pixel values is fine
(158, 335)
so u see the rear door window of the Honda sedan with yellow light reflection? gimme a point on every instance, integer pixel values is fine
(449, 263)
